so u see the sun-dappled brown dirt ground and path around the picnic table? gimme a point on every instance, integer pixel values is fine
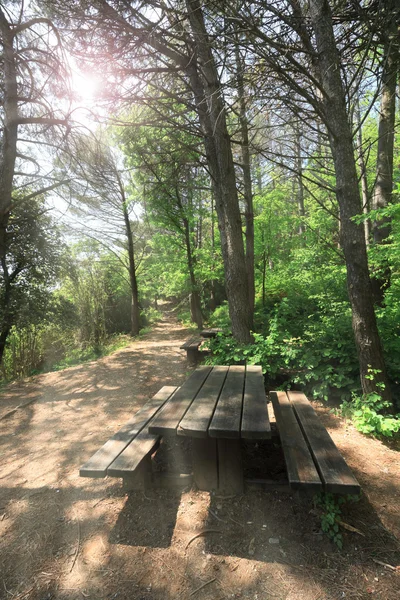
(63, 537)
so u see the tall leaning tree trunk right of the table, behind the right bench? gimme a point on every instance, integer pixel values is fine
(352, 235)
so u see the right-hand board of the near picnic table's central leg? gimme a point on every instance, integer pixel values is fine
(230, 468)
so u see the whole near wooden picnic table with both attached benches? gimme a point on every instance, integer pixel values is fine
(218, 407)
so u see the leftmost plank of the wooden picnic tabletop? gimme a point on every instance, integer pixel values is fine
(168, 419)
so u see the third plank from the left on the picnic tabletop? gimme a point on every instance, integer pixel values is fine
(228, 413)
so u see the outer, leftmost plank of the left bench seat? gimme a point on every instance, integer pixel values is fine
(97, 465)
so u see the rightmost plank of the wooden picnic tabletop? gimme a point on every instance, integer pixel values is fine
(255, 419)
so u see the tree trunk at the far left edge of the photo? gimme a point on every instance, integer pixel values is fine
(8, 147)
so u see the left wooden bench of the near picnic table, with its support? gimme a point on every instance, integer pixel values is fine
(127, 454)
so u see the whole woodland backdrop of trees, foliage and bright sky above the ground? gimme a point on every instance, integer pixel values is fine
(238, 159)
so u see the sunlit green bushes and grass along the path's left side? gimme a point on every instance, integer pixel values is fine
(79, 320)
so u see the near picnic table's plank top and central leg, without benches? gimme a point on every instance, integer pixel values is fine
(217, 407)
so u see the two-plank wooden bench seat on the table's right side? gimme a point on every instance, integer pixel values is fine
(312, 459)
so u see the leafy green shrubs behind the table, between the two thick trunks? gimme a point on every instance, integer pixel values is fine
(308, 341)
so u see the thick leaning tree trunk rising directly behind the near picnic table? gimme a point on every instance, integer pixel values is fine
(210, 107)
